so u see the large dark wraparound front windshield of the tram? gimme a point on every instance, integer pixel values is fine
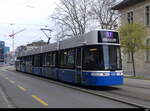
(104, 57)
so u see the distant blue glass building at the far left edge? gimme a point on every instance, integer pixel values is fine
(3, 51)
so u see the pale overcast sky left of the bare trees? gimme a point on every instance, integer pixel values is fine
(31, 15)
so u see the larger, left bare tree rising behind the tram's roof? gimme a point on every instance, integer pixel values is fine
(72, 17)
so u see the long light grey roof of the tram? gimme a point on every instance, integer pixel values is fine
(86, 39)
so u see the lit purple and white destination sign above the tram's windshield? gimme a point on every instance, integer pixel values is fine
(108, 37)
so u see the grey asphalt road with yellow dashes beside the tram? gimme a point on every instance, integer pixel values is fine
(19, 90)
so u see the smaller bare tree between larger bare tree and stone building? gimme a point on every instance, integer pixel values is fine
(101, 11)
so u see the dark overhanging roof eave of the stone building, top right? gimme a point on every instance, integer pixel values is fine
(125, 3)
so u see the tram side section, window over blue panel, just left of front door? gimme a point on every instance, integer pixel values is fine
(66, 65)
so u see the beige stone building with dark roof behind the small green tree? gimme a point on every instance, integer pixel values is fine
(136, 11)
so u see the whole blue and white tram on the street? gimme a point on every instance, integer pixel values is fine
(93, 59)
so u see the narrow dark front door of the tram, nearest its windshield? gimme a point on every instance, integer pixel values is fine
(78, 65)
